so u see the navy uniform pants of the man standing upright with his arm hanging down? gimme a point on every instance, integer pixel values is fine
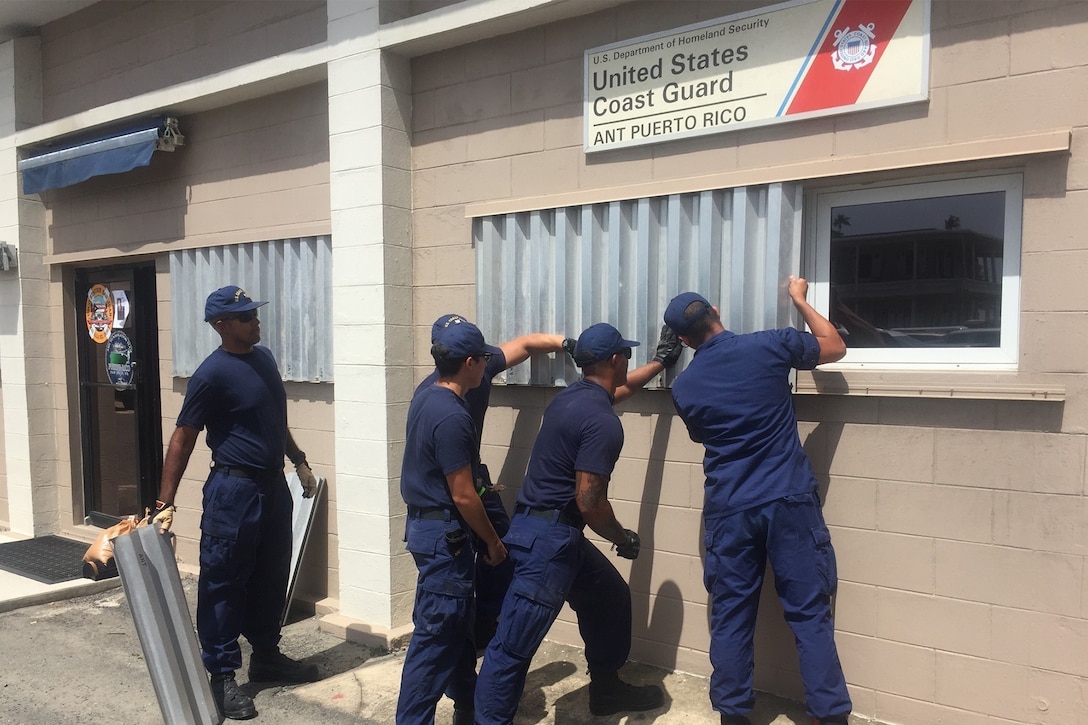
(441, 657)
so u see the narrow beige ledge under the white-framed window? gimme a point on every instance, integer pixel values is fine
(931, 386)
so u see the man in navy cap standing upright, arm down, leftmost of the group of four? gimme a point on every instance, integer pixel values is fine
(447, 519)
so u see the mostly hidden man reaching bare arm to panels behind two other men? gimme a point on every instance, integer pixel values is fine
(492, 582)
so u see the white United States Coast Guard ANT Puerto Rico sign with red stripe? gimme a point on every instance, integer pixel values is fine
(785, 63)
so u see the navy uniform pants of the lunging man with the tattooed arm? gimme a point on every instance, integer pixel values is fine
(553, 563)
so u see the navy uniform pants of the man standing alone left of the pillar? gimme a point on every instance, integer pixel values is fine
(245, 563)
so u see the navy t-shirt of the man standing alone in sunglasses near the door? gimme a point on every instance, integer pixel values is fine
(242, 401)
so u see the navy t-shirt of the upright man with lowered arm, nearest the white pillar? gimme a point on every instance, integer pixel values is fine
(441, 439)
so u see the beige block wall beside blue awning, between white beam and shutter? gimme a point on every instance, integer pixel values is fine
(249, 173)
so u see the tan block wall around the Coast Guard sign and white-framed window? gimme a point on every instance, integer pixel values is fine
(959, 524)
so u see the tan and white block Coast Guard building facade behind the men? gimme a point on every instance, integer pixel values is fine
(368, 166)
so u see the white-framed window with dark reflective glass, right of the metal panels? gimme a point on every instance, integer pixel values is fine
(923, 274)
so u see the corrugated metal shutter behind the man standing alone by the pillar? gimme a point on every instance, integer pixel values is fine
(295, 276)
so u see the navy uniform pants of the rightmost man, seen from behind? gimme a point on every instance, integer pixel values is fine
(792, 533)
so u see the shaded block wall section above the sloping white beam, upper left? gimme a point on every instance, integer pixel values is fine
(114, 51)
